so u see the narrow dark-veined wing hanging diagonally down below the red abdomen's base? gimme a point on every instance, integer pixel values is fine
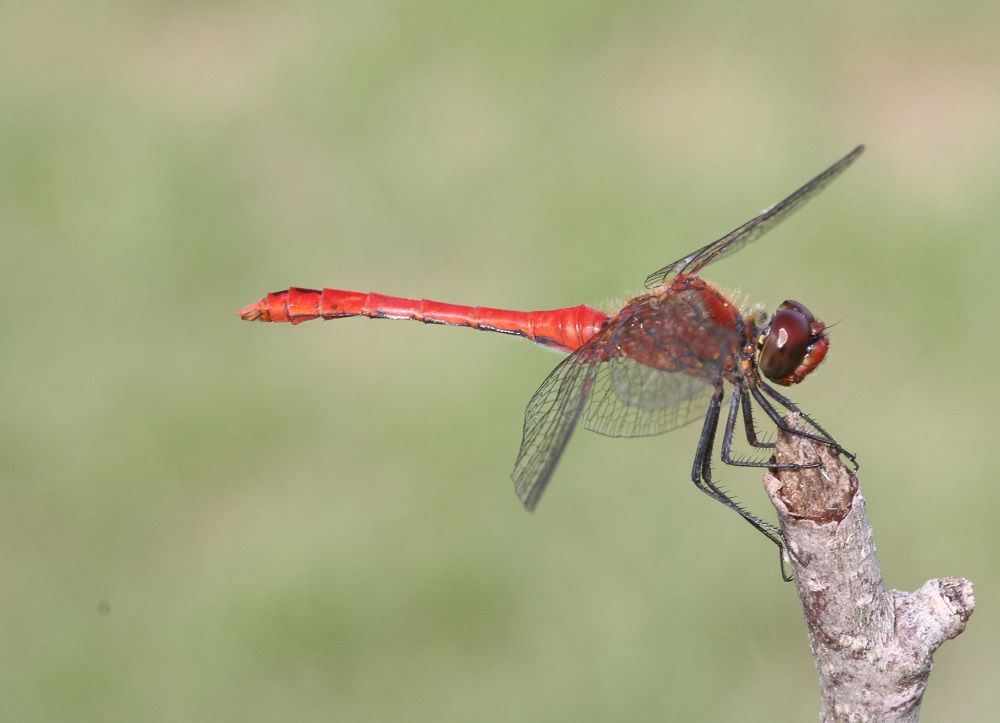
(549, 420)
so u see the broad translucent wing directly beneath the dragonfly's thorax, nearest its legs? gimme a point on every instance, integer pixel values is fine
(629, 399)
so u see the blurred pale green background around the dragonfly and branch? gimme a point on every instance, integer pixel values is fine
(204, 519)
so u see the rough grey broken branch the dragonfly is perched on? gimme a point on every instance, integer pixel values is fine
(873, 648)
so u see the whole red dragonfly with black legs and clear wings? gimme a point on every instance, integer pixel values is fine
(660, 362)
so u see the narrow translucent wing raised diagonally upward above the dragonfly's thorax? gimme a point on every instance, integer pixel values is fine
(755, 227)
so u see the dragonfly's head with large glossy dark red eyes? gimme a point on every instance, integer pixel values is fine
(792, 345)
